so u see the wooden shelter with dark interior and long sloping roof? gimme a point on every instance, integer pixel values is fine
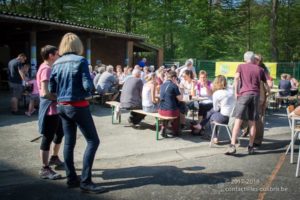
(23, 33)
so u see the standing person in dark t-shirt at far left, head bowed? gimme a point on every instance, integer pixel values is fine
(15, 78)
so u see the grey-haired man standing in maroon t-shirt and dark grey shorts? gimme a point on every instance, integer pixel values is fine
(249, 75)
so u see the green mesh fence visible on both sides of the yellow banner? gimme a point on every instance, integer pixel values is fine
(292, 68)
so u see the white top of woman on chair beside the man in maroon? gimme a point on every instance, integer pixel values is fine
(223, 101)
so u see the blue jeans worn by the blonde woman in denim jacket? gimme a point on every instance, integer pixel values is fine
(71, 118)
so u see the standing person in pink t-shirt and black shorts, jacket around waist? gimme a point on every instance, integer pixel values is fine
(49, 122)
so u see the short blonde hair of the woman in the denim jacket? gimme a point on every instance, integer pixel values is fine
(70, 43)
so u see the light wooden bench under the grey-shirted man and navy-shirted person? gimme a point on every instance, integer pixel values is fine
(157, 116)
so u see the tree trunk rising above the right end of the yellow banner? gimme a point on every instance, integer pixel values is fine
(273, 30)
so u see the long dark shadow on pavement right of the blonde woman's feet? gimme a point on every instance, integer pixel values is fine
(162, 175)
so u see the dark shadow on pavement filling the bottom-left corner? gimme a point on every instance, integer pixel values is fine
(16, 184)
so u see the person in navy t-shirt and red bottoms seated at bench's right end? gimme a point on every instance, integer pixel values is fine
(169, 106)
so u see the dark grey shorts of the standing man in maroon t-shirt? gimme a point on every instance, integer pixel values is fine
(247, 108)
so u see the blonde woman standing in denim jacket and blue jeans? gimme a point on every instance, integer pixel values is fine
(71, 81)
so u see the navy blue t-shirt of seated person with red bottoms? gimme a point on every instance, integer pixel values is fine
(168, 93)
